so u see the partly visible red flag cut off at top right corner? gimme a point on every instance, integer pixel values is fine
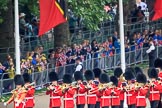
(158, 10)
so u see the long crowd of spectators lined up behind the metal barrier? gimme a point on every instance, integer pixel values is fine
(36, 61)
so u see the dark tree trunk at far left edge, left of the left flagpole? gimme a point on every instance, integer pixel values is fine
(6, 23)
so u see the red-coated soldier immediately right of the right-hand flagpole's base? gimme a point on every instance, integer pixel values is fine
(130, 88)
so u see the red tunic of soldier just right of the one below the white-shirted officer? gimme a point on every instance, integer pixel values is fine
(91, 94)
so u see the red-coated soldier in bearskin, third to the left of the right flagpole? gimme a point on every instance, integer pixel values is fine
(105, 91)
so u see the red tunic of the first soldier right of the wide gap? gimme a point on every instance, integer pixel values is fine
(55, 97)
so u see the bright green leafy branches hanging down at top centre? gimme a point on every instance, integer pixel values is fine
(92, 11)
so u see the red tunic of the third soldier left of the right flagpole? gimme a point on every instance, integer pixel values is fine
(106, 97)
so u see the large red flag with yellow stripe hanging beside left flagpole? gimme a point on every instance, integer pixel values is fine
(51, 15)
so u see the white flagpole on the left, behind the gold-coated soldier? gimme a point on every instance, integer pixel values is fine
(17, 38)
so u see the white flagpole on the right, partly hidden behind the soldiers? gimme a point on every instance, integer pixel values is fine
(122, 46)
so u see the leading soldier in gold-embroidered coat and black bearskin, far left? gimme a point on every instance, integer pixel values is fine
(18, 94)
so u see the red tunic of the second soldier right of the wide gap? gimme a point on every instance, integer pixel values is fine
(68, 98)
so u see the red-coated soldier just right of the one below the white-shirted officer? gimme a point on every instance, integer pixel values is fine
(92, 89)
